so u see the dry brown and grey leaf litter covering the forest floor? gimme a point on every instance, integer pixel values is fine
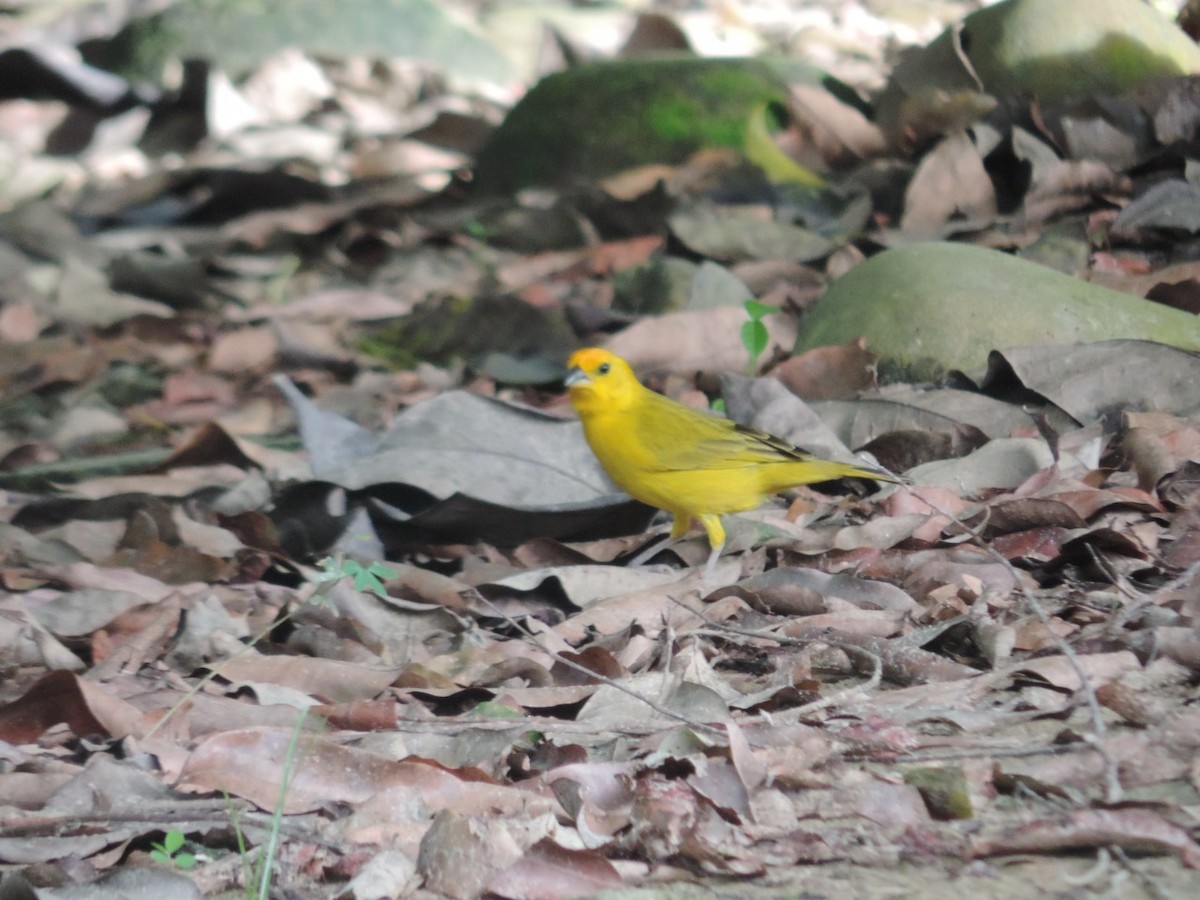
(989, 670)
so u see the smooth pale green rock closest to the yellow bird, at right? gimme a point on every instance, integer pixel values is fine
(928, 309)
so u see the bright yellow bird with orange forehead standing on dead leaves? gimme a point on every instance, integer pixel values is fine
(689, 464)
